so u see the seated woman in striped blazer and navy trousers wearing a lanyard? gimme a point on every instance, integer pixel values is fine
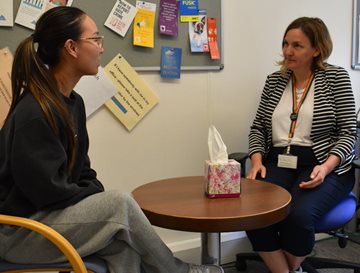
(302, 138)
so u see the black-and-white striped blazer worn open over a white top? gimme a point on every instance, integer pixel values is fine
(334, 119)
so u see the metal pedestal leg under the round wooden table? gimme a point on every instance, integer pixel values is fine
(210, 248)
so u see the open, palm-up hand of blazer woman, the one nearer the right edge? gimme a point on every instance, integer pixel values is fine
(319, 172)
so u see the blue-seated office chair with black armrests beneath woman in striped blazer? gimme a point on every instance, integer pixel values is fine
(330, 223)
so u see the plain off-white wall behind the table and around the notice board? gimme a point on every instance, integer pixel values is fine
(172, 139)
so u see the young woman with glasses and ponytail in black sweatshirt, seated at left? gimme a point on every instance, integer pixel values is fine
(45, 171)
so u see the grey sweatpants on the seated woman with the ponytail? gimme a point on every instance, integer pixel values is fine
(109, 224)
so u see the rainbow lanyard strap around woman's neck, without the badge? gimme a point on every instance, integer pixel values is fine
(296, 106)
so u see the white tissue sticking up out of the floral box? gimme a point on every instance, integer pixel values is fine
(217, 148)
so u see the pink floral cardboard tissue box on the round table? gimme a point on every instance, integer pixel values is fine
(222, 180)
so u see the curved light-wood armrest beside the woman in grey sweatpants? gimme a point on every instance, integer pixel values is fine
(56, 238)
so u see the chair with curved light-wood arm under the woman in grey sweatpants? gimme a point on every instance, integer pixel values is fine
(76, 263)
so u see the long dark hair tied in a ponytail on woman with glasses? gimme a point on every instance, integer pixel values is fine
(32, 60)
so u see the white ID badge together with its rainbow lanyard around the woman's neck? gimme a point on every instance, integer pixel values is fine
(287, 160)
